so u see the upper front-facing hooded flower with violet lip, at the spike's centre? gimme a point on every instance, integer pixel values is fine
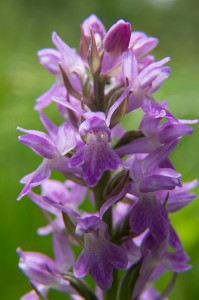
(96, 156)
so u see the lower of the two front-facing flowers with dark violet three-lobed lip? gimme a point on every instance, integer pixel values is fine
(99, 256)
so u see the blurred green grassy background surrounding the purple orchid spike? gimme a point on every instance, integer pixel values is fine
(26, 26)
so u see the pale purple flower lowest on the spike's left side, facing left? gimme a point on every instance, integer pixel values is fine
(45, 273)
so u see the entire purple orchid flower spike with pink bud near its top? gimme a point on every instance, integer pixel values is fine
(119, 186)
